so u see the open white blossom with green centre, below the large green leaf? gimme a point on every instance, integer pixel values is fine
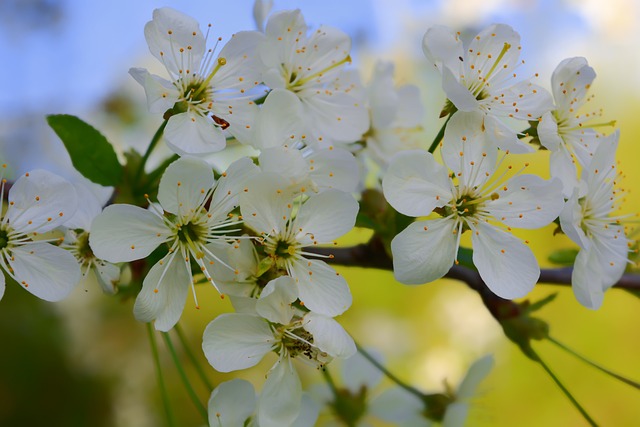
(193, 215)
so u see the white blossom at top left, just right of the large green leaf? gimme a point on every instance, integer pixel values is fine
(205, 94)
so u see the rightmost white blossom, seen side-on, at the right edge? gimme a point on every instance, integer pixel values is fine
(588, 220)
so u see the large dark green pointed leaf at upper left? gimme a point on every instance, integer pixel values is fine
(91, 154)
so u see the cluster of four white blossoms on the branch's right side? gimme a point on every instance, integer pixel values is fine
(470, 192)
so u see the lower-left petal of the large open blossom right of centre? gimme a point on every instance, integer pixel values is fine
(424, 251)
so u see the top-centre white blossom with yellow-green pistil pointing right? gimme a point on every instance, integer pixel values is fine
(312, 68)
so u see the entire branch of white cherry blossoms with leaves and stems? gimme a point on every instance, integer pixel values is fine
(261, 229)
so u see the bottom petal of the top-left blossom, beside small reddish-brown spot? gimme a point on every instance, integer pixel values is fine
(191, 133)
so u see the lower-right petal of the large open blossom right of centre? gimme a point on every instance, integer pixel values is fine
(506, 265)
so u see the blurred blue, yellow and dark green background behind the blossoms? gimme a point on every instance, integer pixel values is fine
(86, 361)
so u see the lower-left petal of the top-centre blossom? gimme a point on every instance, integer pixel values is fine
(280, 120)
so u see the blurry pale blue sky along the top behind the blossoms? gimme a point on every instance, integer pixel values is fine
(69, 66)
